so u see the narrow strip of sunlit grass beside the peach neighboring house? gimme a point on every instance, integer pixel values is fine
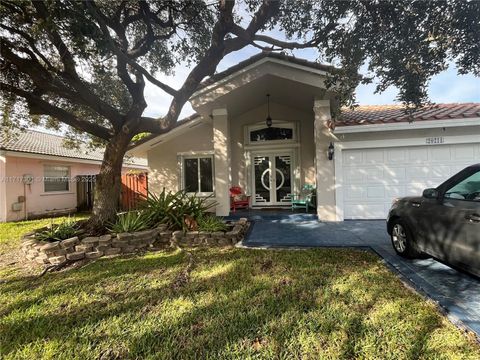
(11, 232)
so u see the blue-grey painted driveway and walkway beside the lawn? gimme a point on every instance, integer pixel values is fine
(458, 294)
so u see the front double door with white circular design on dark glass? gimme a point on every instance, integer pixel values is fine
(272, 178)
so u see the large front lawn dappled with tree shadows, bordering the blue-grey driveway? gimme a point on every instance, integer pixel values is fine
(326, 303)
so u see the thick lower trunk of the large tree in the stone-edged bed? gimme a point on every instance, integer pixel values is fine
(108, 183)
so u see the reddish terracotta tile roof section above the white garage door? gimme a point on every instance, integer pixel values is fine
(380, 114)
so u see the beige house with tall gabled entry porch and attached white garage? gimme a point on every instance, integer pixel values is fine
(377, 153)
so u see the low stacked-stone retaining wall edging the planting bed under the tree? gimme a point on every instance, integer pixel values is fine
(78, 248)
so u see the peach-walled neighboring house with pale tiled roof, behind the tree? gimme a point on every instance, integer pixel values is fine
(38, 174)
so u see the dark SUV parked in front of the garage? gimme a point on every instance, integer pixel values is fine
(443, 223)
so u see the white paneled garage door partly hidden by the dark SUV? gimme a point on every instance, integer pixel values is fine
(373, 177)
